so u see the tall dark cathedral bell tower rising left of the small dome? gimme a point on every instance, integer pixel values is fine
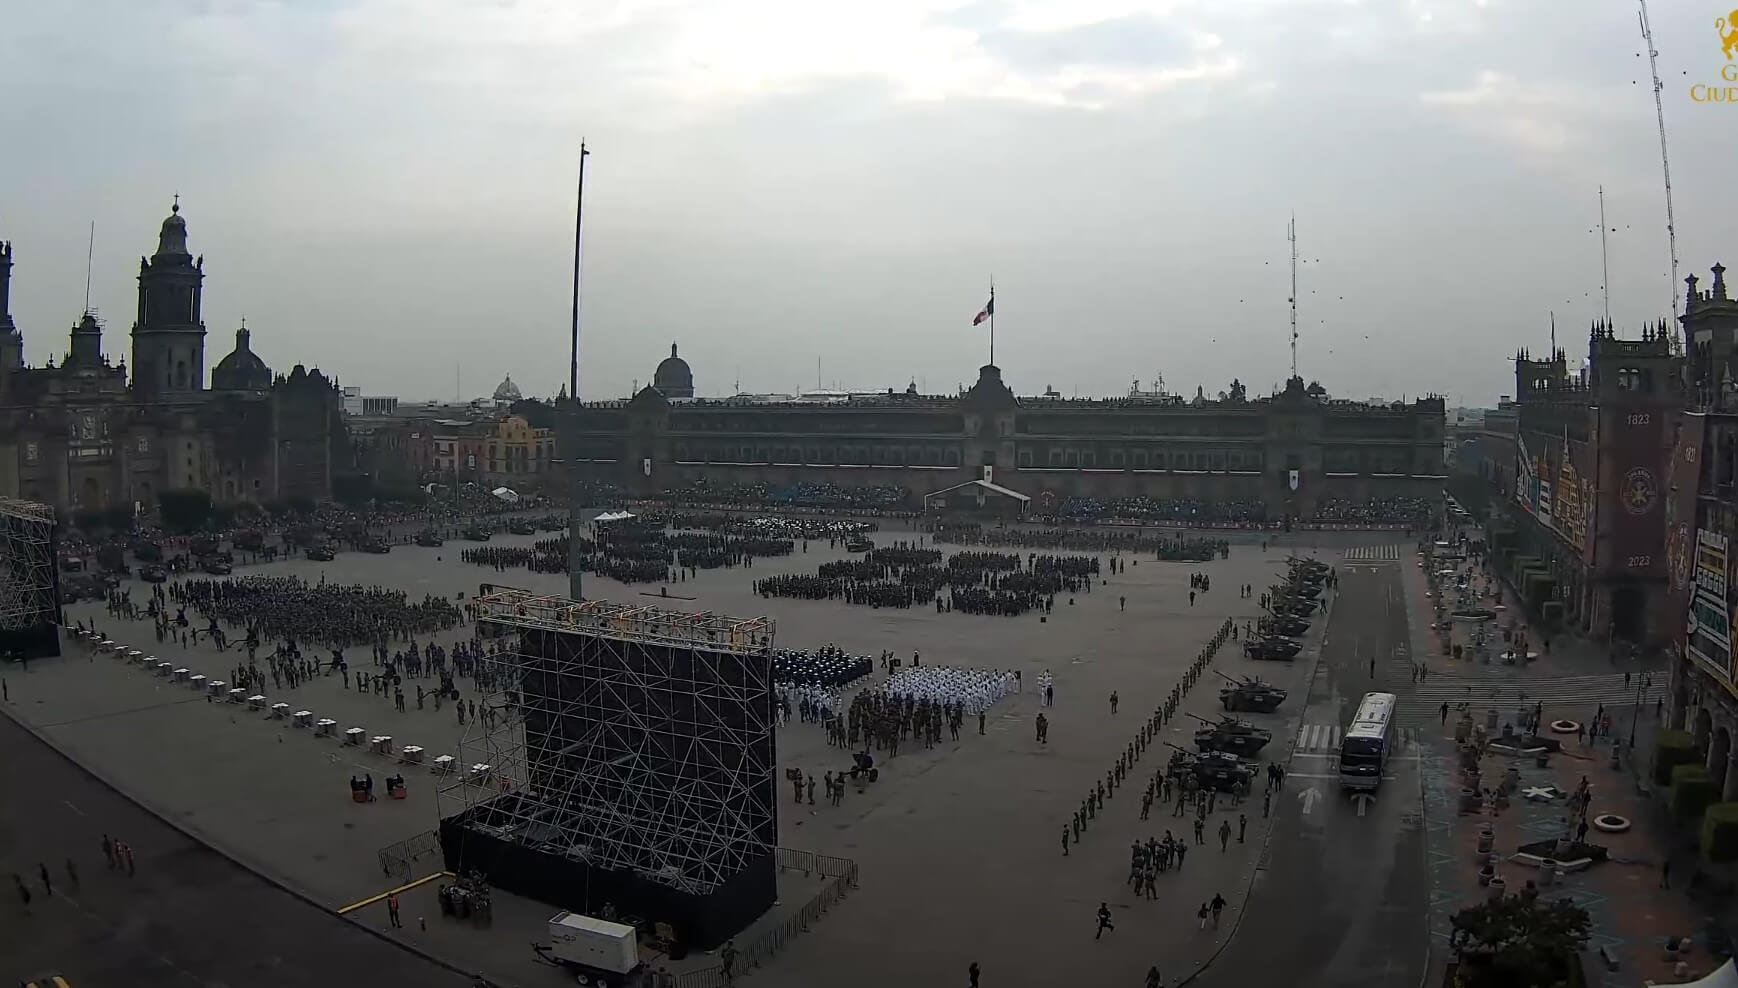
(168, 335)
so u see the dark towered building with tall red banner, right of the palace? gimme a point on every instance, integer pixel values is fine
(1588, 551)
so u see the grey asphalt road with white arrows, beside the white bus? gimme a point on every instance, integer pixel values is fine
(1343, 893)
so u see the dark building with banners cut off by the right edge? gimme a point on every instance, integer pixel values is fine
(1702, 531)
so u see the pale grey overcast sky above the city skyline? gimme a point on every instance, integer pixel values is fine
(385, 189)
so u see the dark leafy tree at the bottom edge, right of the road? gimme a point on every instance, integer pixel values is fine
(1518, 942)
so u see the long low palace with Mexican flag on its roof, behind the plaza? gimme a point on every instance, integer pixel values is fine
(1292, 455)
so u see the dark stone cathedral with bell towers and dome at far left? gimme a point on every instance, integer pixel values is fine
(91, 434)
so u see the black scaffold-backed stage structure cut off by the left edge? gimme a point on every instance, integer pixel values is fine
(30, 582)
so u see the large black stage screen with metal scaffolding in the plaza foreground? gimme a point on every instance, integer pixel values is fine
(634, 764)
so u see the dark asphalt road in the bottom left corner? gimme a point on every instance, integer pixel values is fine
(187, 919)
